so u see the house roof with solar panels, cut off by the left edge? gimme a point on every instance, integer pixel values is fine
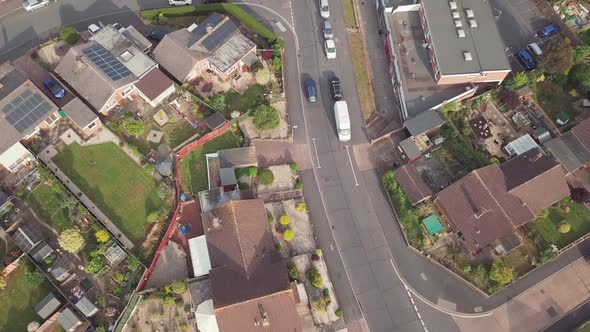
(23, 106)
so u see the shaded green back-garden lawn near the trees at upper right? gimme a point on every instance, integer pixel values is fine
(554, 100)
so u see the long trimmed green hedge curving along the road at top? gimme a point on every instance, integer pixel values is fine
(223, 8)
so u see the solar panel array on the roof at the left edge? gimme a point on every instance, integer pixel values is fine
(25, 110)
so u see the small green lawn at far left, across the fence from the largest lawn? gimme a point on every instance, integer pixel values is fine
(47, 205)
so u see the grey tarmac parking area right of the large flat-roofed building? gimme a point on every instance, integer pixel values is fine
(518, 22)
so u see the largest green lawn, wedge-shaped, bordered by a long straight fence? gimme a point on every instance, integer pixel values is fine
(115, 183)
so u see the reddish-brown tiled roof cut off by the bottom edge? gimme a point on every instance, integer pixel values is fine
(279, 310)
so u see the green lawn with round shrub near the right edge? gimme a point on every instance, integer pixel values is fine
(546, 229)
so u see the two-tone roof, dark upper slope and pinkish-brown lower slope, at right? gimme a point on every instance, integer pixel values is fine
(537, 179)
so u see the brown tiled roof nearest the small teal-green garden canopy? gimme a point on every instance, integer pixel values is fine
(471, 210)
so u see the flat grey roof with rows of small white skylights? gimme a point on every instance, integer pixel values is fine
(483, 42)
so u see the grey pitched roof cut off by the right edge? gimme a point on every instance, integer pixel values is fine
(570, 152)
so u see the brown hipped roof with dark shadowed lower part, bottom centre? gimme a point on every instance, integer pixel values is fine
(244, 262)
